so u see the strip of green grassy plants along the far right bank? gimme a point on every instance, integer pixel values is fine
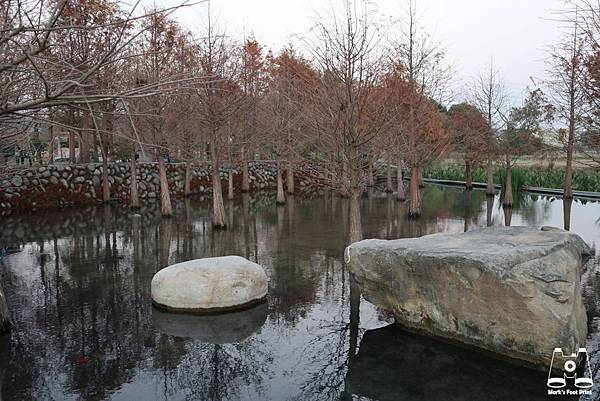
(545, 178)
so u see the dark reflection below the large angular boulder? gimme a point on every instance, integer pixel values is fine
(393, 365)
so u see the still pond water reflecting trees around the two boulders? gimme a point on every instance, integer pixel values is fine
(78, 284)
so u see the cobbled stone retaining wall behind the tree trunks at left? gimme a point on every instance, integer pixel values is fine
(58, 186)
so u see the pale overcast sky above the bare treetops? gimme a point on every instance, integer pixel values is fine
(515, 33)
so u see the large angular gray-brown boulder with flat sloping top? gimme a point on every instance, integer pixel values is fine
(514, 291)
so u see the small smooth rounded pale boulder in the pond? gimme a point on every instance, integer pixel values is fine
(209, 285)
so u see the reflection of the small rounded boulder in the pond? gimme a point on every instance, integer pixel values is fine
(227, 328)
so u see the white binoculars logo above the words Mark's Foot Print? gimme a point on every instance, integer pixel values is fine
(567, 366)
